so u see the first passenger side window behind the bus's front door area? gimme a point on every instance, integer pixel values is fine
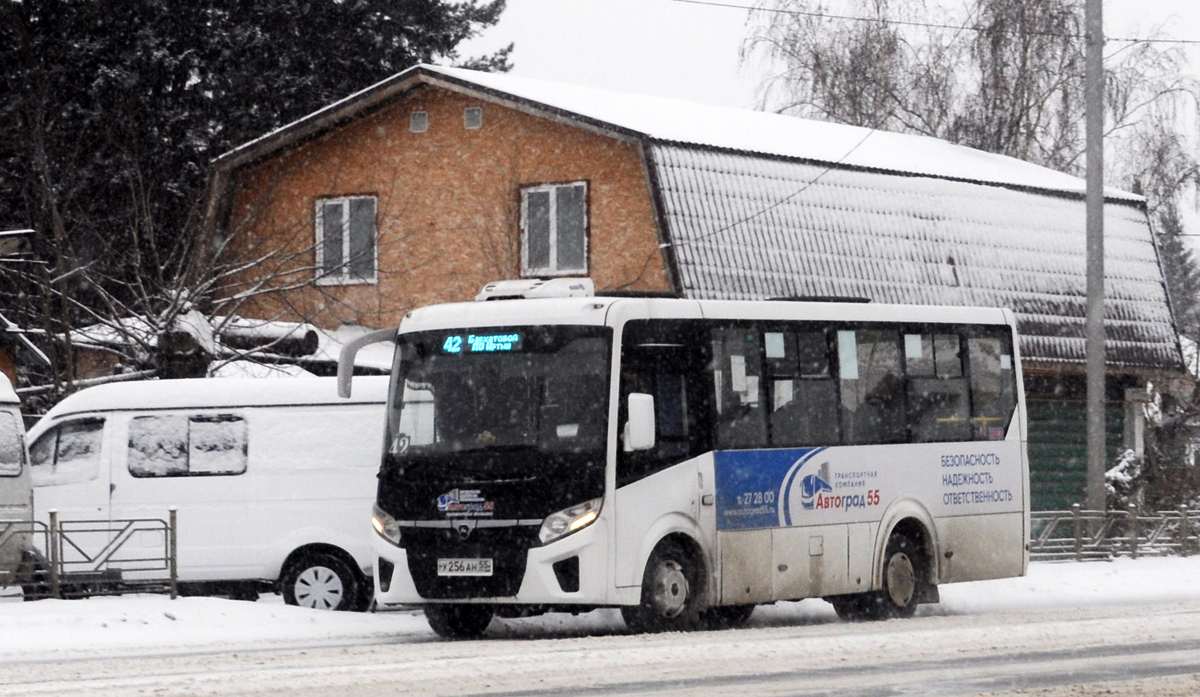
(737, 382)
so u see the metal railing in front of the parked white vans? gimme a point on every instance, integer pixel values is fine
(85, 558)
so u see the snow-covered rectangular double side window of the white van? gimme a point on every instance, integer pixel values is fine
(181, 446)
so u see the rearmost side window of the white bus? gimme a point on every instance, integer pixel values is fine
(993, 387)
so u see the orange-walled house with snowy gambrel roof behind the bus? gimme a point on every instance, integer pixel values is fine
(435, 182)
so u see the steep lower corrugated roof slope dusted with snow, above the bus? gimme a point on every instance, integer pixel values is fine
(745, 227)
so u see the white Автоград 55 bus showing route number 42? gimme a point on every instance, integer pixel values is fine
(687, 460)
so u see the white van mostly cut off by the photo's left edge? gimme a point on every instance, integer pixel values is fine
(16, 495)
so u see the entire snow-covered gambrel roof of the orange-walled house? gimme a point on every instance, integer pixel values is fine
(759, 206)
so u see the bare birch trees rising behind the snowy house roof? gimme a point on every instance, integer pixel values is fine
(1003, 76)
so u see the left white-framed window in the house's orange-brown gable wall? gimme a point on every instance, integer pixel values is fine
(346, 241)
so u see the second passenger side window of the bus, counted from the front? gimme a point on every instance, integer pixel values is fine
(803, 394)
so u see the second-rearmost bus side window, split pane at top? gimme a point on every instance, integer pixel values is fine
(939, 408)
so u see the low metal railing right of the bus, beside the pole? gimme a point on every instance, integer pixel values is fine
(1087, 536)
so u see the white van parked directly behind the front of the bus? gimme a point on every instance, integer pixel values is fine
(273, 479)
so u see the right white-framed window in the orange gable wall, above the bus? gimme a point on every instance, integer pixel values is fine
(554, 230)
